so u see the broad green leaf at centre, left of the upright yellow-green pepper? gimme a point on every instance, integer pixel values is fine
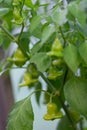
(41, 60)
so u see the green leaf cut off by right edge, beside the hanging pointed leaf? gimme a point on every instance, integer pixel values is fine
(83, 51)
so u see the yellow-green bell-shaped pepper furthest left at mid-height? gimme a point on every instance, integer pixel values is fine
(19, 58)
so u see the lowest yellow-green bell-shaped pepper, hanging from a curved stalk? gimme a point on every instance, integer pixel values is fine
(52, 112)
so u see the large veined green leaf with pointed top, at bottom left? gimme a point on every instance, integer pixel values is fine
(21, 116)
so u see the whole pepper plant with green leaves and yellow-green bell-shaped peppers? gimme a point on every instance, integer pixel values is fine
(51, 39)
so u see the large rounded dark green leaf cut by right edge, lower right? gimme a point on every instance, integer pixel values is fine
(75, 91)
